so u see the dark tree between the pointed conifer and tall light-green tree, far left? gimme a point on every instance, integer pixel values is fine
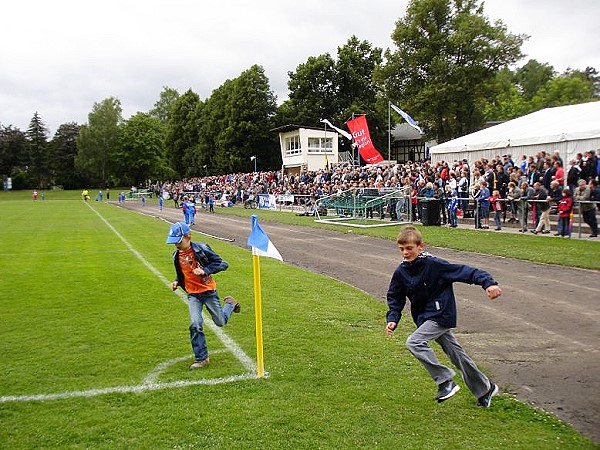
(63, 150)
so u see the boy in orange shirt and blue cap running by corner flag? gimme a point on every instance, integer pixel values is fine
(195, 265)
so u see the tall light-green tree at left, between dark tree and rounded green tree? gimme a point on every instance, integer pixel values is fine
(98, 140)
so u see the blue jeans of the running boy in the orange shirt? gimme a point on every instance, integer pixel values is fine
(220, 315)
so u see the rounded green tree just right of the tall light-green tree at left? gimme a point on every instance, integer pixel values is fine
(141, 153)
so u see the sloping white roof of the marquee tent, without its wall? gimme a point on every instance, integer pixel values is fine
(550, 125)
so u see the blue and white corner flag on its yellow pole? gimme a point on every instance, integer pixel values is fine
(261, 246)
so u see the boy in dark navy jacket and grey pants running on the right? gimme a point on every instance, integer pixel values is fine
(427, 282)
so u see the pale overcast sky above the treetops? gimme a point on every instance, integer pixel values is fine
(60, 57)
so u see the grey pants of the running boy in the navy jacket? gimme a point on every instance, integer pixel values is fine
(418, 344)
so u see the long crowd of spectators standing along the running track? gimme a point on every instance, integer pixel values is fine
(511, 190)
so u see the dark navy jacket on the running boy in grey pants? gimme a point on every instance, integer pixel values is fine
(427, 283)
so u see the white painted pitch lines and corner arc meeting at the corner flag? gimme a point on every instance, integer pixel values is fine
(149, 383)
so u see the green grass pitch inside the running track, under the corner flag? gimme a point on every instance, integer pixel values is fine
(95, 352)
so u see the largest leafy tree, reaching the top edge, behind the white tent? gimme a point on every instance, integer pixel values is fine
(447, 53)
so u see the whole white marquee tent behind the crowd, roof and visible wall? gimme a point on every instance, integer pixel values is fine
(569, 129)
